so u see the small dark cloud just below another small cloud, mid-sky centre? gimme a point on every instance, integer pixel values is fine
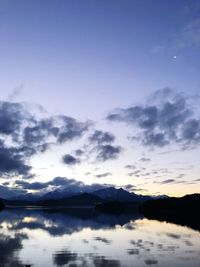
(107, 152)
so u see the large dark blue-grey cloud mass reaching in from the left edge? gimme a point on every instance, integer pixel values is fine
(23, 135)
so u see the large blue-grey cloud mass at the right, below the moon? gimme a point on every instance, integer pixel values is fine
(167, 118)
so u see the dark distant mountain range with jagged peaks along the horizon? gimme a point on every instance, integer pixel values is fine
(87, 198)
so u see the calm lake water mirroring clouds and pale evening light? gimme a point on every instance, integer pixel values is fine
(85, 238)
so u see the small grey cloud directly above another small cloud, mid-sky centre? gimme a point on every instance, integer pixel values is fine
(101, 137)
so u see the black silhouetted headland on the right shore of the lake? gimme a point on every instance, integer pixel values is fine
(183, 211)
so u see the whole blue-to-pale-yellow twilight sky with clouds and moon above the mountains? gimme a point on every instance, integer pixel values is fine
(100, 92)
